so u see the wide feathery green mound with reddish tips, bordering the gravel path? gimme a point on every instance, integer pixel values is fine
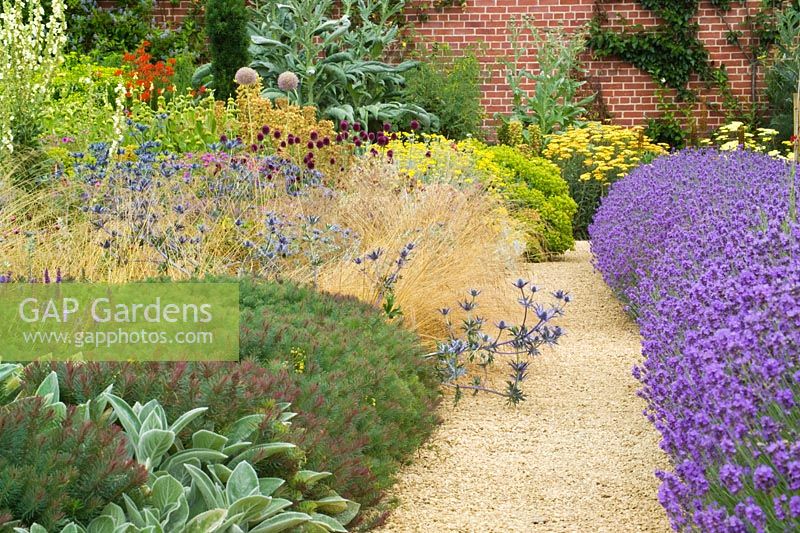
(362, 393)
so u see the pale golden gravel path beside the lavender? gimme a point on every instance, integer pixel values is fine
(576, 456)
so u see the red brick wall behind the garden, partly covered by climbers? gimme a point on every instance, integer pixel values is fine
(628, 96)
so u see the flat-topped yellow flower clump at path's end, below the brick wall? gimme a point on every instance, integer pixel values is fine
(606, 152)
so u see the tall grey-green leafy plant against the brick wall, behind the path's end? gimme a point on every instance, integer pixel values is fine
(556, 102)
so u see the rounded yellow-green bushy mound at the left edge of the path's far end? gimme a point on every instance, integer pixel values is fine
(538, 193)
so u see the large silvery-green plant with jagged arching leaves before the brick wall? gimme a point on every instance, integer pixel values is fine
(337, 60)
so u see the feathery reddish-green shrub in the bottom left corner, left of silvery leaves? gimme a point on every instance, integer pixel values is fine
(59, 466)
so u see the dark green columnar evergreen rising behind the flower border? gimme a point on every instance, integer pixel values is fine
(226, 27)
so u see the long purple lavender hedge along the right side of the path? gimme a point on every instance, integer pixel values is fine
(703, 249)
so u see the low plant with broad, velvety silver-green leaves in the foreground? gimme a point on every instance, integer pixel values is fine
(212, 484)
